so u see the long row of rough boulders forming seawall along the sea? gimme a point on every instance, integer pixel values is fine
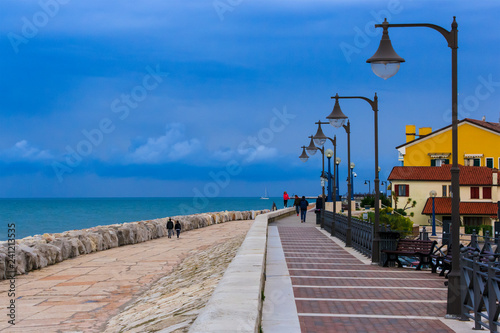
(39, 251)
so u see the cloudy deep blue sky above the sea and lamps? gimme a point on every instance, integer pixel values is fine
(214, 98)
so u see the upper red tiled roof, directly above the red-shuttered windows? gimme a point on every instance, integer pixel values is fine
(469, 175)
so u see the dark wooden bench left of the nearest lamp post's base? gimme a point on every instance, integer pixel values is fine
(411, 248)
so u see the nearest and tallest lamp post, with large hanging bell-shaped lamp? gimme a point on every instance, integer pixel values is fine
(385, 63)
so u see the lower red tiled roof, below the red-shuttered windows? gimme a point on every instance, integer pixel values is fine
(442, 206)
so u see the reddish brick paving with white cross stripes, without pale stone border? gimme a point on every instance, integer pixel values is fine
(336, 292)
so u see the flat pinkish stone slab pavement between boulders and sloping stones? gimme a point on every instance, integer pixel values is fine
(83, 293)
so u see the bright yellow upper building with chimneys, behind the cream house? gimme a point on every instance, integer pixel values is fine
(478, 145)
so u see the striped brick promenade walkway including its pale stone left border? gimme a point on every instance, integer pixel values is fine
(315, 284)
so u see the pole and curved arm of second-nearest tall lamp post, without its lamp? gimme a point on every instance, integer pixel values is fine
(374, 105)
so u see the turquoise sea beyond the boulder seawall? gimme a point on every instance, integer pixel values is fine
(29, 217)
